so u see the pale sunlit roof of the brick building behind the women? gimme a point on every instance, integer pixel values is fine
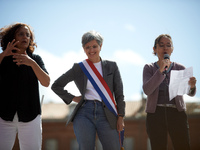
(59, 111)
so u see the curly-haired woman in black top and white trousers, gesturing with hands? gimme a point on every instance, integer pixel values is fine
(20, 71)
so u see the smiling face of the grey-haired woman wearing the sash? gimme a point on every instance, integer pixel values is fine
(92, 50)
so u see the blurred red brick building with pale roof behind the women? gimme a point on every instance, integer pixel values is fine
(56, 136)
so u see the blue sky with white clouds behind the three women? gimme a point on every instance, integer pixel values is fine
(129, 28)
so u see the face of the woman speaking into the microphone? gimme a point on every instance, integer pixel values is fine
(163, 47)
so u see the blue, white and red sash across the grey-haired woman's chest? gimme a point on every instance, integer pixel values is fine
(99, 84)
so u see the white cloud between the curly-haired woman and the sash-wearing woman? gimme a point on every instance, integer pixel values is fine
(56, 66)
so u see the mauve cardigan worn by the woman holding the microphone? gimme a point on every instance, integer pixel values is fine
(152, 79)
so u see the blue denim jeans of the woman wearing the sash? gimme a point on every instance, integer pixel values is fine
(91, 119)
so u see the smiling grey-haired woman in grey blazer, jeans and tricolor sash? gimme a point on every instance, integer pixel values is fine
(101, 107)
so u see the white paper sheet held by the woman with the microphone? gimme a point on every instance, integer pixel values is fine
(179, 82)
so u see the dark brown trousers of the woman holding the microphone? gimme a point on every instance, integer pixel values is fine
(166, 121)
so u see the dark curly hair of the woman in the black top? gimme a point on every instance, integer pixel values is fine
(7, 34)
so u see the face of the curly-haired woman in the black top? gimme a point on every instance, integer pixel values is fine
(23, 36)
